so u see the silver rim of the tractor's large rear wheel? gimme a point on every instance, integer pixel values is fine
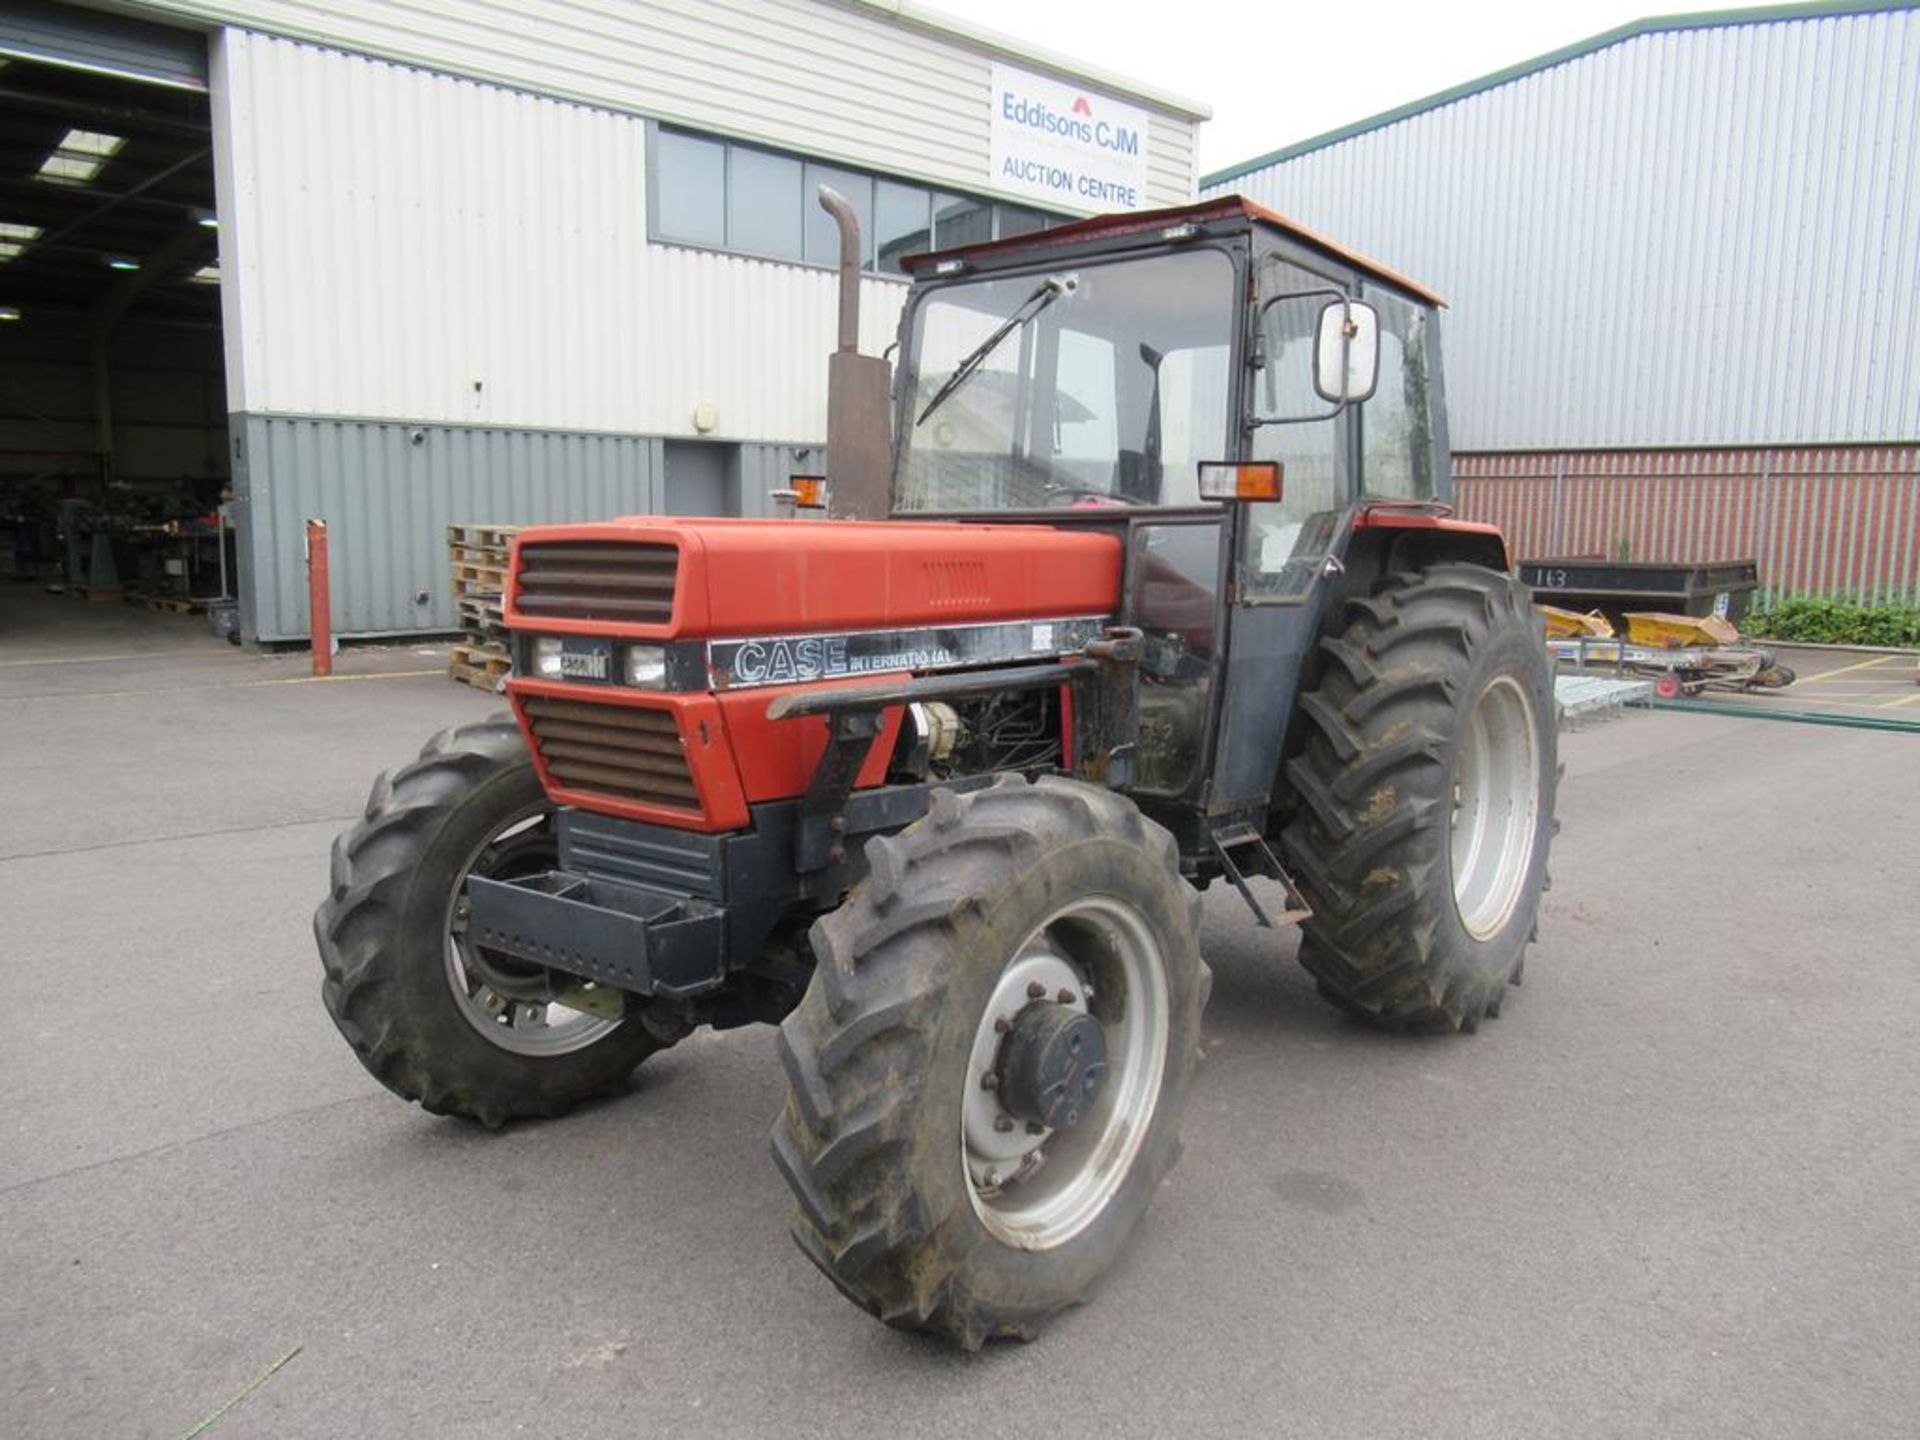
(1497, 807)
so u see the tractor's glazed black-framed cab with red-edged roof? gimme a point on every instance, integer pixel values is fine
(1232, 395)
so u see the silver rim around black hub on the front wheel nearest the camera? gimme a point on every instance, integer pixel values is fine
(1032, 1188)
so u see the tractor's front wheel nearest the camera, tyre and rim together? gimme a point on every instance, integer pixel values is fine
(930, 1186)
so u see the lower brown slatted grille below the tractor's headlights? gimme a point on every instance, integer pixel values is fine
(619, 752)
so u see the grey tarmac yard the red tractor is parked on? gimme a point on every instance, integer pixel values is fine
(1671, 1191)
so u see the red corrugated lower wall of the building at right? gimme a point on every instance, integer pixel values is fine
(1842, 523)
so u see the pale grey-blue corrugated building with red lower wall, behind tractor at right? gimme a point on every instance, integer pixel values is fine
(1683, 274)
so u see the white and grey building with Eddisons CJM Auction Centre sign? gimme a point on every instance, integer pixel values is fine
(443, 262)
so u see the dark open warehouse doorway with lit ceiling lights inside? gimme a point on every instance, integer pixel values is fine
(114, 454)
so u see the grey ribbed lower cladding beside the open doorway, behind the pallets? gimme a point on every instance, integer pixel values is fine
(389, 494)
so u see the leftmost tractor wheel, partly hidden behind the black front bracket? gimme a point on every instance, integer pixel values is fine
(431, 1019)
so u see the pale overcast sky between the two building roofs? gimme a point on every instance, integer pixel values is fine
(1282, 72)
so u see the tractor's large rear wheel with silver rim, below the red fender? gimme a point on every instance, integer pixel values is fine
(1424, 800)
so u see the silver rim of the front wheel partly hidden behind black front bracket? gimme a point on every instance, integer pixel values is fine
(512, 1005)
